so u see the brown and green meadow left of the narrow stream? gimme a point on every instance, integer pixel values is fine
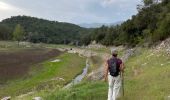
(38, 69)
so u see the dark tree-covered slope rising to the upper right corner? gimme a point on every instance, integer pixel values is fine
(151, 24)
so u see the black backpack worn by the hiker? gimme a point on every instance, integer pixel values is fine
(113, 67)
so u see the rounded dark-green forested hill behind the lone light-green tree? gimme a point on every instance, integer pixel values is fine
(40, 30)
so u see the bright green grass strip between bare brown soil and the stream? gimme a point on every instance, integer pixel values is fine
(68, 68)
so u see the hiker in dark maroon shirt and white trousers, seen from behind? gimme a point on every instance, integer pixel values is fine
(114, 67)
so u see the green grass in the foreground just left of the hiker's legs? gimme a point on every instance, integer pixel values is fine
(84, 91)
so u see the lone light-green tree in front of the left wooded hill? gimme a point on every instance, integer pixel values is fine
(18, 33)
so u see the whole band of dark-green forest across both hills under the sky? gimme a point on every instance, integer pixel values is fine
(149, 25)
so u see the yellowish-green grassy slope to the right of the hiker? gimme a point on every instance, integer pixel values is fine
(147, 76)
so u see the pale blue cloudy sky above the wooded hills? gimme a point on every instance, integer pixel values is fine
(72, 11)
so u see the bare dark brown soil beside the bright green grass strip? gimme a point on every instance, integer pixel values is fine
(16, 64)
